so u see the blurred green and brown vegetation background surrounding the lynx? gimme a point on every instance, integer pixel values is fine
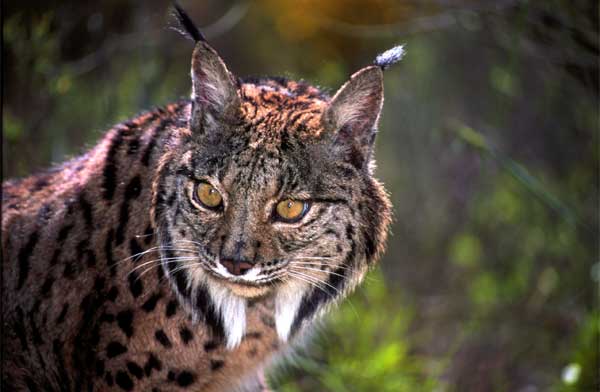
(489, 145)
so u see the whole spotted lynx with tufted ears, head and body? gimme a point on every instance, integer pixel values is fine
(194, 242)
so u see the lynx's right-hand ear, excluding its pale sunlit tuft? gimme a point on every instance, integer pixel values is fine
(352, 114)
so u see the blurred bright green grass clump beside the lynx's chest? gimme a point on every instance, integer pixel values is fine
(364, 346)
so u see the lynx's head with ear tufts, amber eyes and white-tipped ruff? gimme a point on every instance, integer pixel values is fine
(268, 192)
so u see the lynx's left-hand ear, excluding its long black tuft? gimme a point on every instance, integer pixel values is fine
(215, 97)
